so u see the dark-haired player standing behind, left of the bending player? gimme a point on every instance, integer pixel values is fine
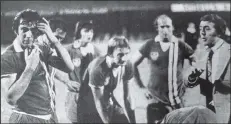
(82, 52)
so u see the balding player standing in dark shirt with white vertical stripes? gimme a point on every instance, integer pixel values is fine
(165, 54)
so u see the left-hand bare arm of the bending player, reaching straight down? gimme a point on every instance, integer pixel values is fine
(100, 103)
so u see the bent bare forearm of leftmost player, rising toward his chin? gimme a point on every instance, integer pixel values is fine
(15, 89)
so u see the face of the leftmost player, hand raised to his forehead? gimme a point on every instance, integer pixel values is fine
(26, 31)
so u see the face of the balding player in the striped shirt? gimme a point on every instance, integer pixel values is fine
(165, 28)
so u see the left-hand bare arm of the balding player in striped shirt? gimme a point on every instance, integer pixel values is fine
(136, 60)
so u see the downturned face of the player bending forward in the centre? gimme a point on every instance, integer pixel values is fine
(120, 55)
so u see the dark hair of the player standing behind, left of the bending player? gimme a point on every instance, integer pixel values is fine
(80, 25)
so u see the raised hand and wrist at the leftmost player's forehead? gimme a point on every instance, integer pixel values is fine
(45, 28)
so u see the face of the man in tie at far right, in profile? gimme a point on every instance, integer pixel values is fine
(207, 32)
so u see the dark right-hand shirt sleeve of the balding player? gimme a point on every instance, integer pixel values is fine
(187, 50)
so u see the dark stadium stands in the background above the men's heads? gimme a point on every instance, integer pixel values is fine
(134, 17)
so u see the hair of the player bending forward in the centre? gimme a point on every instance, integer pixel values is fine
(117, 42)
